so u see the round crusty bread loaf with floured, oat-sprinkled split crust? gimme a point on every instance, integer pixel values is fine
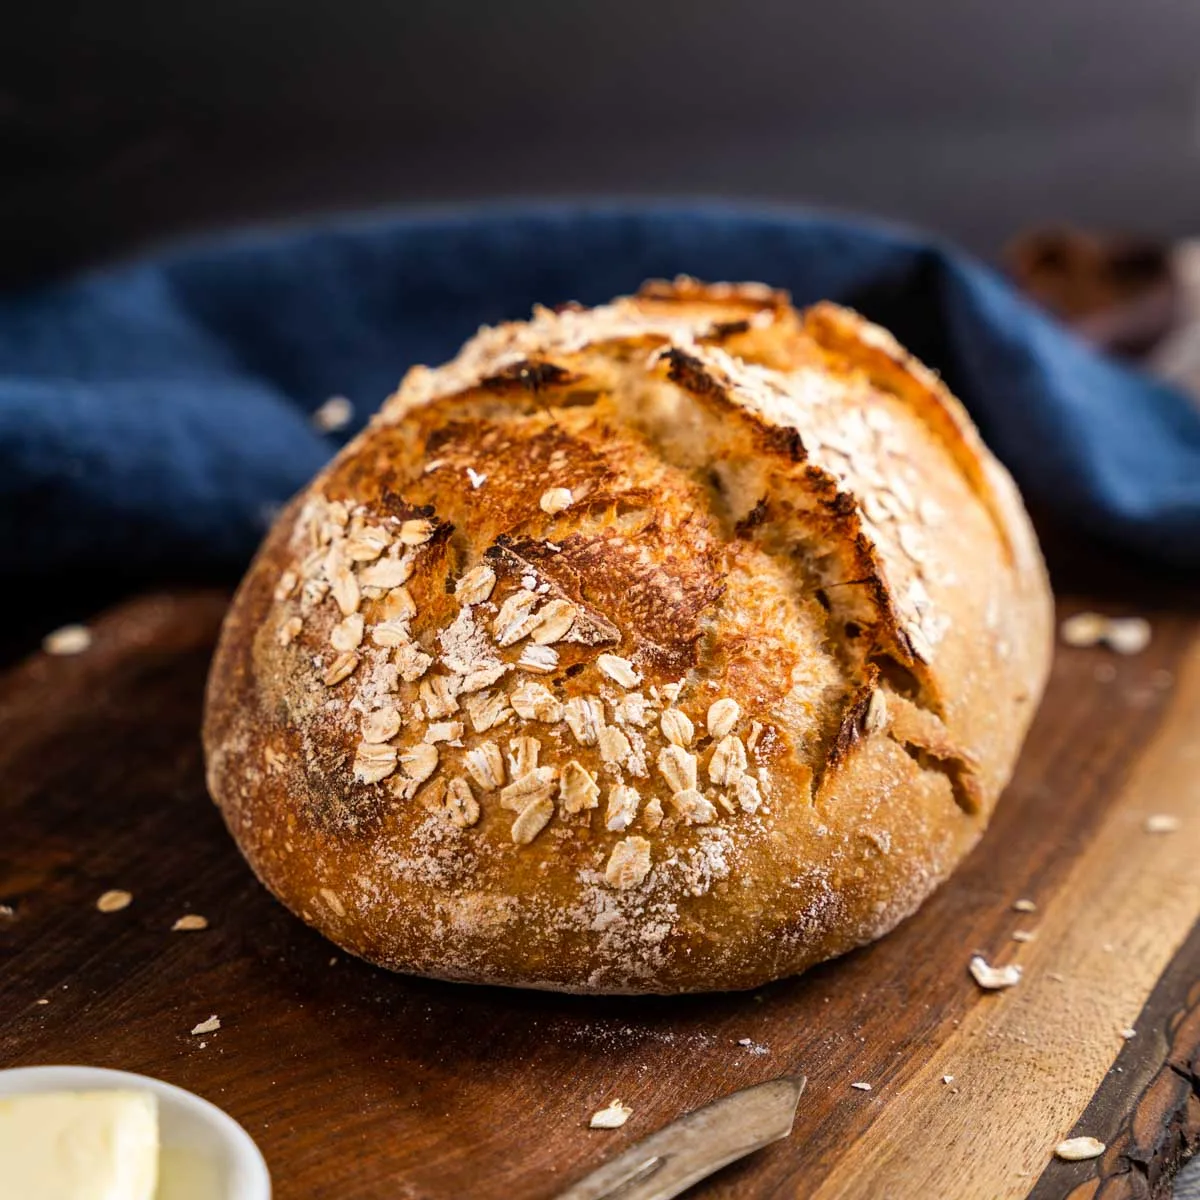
(669, 646)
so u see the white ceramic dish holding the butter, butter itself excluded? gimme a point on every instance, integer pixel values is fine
(206, 1154)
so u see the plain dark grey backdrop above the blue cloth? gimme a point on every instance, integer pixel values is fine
(123, 124)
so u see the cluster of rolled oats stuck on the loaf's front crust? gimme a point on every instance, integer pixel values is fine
(413, 704)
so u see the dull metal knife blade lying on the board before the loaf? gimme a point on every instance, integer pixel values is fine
(697, 1145)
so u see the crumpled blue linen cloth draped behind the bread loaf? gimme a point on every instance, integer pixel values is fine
(153, 417)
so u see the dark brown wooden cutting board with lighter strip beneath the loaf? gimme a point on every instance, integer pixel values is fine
(359, 1084)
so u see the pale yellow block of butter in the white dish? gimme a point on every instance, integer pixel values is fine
(80, 1147)
